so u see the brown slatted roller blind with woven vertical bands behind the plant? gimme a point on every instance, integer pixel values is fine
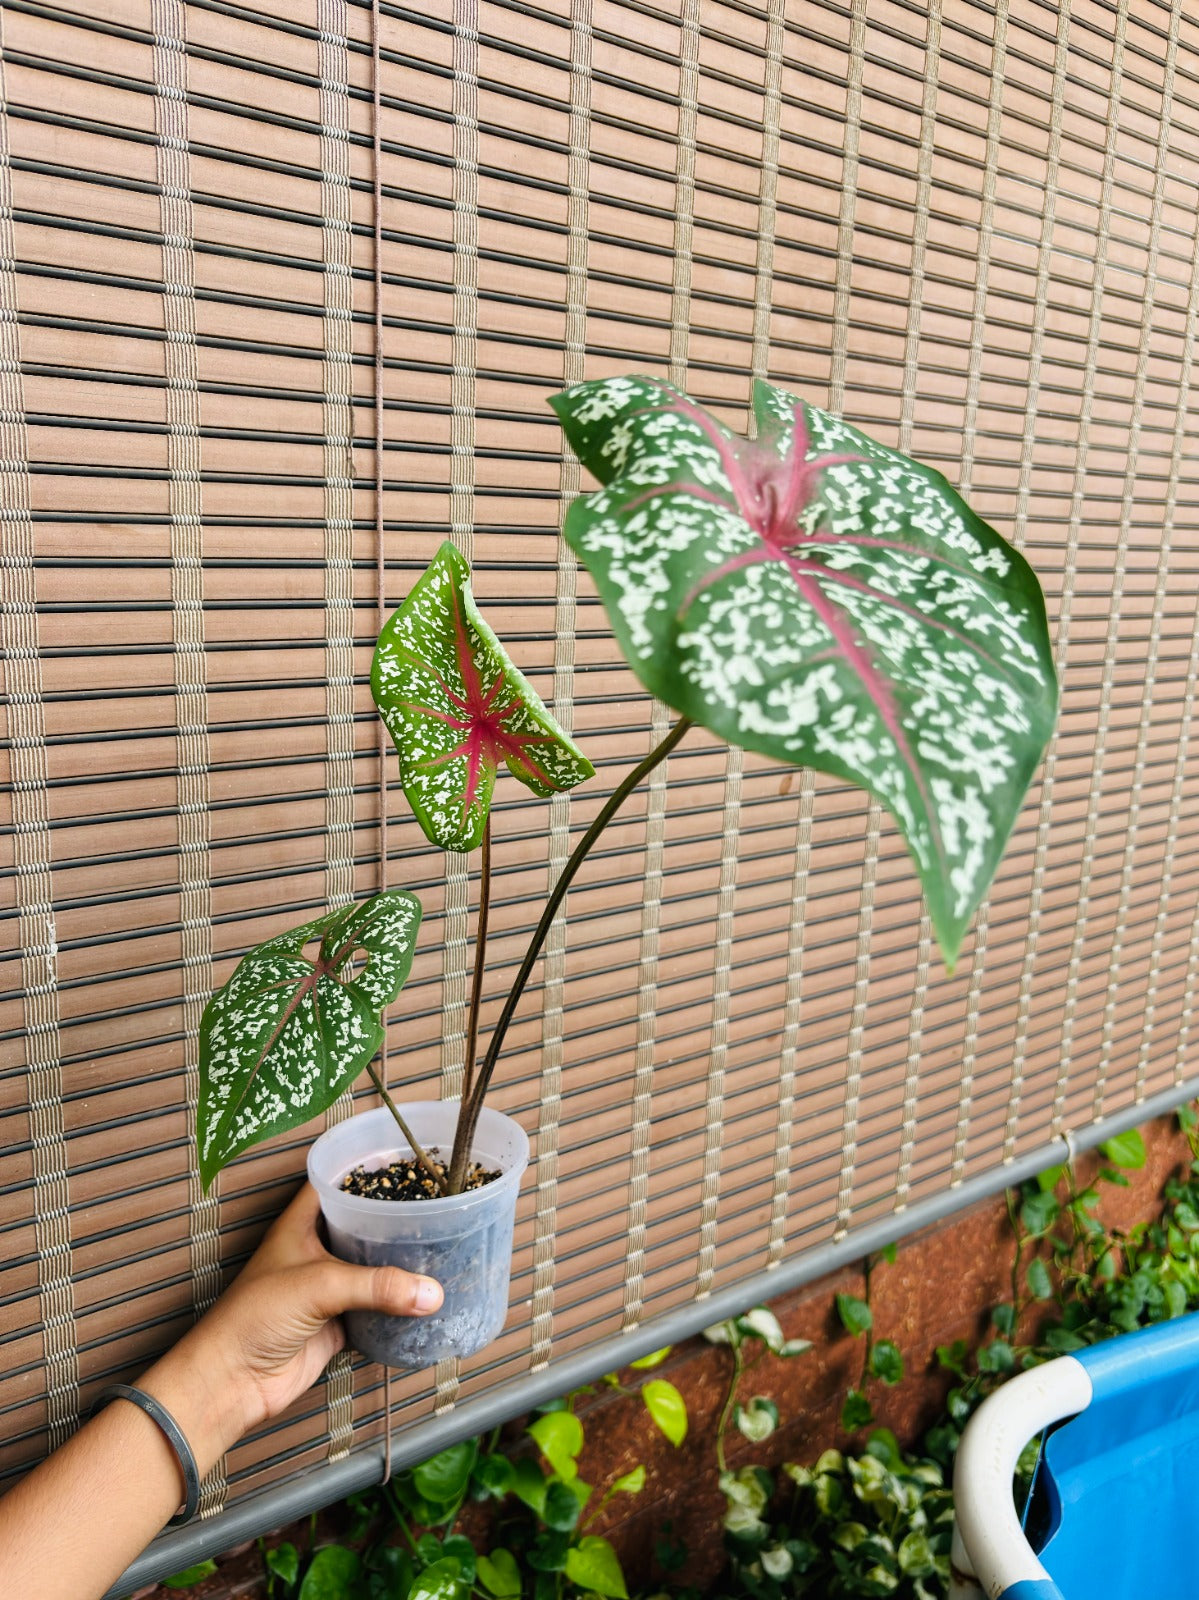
(969, 226)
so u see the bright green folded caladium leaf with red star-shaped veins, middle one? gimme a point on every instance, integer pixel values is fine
(455, 706)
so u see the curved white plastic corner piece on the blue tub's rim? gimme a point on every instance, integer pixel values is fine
(990, 1545)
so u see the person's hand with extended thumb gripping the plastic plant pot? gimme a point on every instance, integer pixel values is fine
(273, 1332)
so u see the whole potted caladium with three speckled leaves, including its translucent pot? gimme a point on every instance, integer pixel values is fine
(808, 594)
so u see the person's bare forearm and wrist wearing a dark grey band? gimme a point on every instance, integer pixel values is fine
(71, 1529)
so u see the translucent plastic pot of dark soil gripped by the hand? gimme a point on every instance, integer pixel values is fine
(462, 1241)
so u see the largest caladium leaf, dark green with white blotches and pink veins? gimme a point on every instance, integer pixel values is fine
(825, 601)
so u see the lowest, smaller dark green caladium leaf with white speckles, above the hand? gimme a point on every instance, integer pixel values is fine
(287, 1033)
